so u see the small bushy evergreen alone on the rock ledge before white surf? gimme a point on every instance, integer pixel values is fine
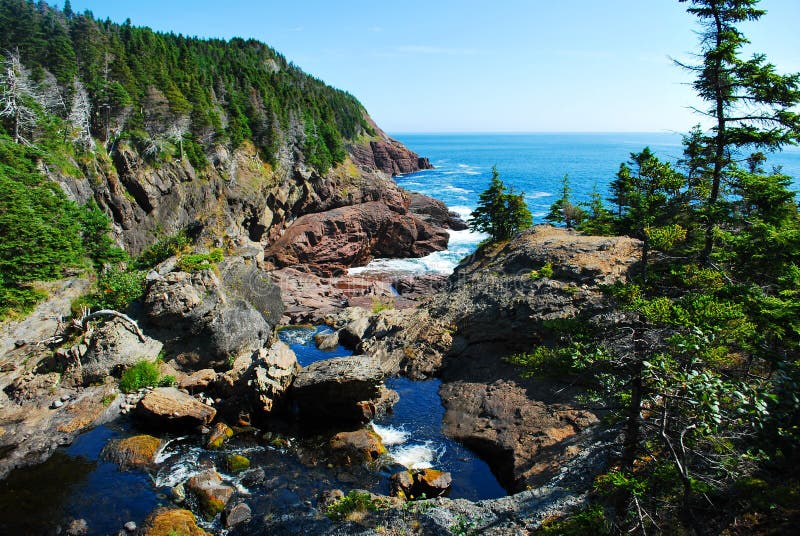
(501, 213)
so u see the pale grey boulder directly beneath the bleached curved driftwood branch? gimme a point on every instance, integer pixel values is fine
(114, 346)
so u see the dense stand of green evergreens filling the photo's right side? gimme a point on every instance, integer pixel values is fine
(703, 374)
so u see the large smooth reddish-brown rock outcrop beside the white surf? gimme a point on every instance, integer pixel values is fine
(330, 242)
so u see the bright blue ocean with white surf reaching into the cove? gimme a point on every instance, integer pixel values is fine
(530, 163)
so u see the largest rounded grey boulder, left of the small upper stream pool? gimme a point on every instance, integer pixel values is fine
(209, 320)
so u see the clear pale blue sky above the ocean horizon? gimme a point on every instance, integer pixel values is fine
(478, 66)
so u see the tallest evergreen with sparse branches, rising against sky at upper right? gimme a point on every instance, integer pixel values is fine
(750, 104)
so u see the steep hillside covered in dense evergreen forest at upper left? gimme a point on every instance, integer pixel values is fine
(120, 81)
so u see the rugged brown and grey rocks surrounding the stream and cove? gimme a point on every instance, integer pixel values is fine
(213, 334)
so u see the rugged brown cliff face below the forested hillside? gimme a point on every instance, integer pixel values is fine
(242, 202)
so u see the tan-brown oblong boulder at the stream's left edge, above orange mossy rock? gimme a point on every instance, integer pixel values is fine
(168, 408)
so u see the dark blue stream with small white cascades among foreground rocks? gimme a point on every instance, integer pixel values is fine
(75, 483)
